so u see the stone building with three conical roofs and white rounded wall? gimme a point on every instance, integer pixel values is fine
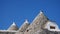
(40, 25)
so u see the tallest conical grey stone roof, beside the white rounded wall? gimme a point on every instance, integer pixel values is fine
(37, 23)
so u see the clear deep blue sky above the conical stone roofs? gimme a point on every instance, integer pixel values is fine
(19, 10)
